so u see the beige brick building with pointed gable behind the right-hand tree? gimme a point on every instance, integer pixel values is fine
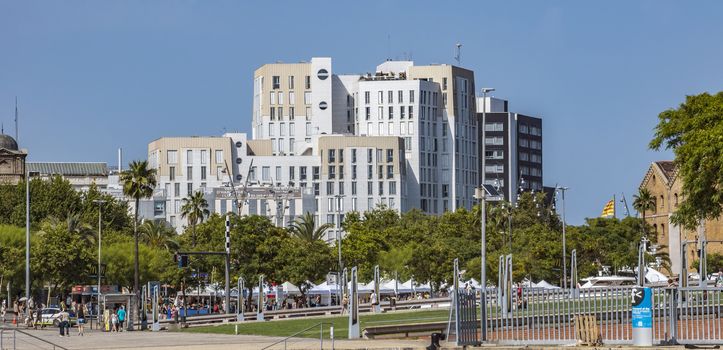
(665, 186)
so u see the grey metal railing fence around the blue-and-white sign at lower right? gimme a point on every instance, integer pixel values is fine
(547, 316)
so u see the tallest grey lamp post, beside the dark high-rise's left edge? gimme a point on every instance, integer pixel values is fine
(483, 221)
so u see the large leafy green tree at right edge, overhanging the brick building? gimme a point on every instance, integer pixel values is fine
(694, 131)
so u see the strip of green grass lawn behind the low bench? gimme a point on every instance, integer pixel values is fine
(283, 328)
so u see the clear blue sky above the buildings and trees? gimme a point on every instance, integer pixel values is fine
(93, 76)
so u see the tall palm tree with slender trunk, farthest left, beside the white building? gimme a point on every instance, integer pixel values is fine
(138, 182)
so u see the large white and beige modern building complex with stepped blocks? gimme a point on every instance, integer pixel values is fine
(403, 136)
